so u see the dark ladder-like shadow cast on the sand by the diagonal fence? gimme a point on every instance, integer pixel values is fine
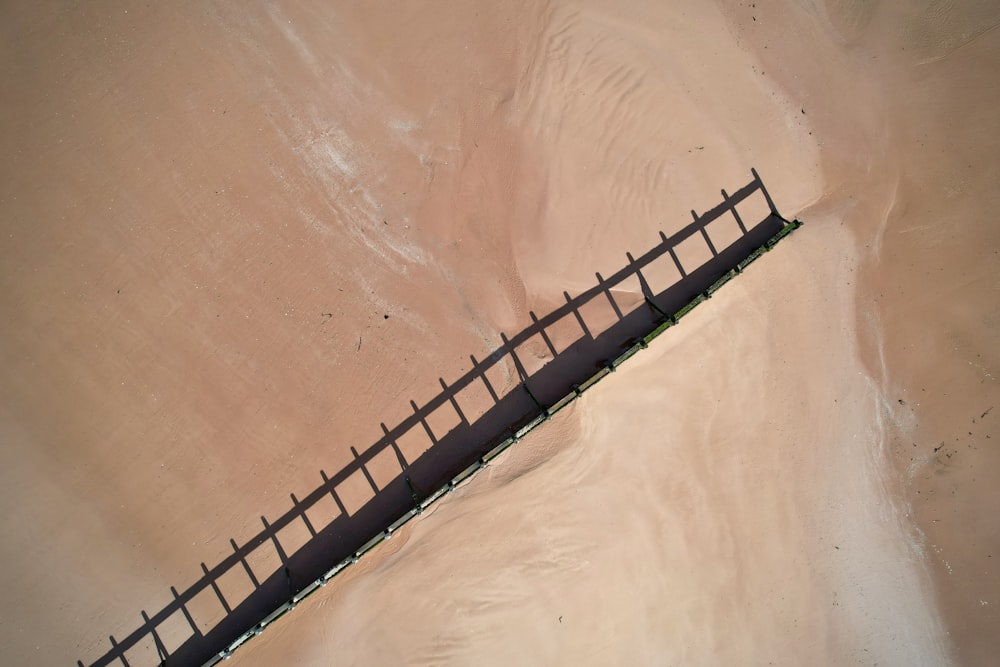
(468, 418)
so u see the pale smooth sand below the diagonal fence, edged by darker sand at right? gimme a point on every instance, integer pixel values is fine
(611, 538)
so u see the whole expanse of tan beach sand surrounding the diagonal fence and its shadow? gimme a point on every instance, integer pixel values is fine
(209, 213)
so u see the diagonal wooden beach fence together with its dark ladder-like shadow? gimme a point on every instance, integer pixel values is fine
(452, 458)
